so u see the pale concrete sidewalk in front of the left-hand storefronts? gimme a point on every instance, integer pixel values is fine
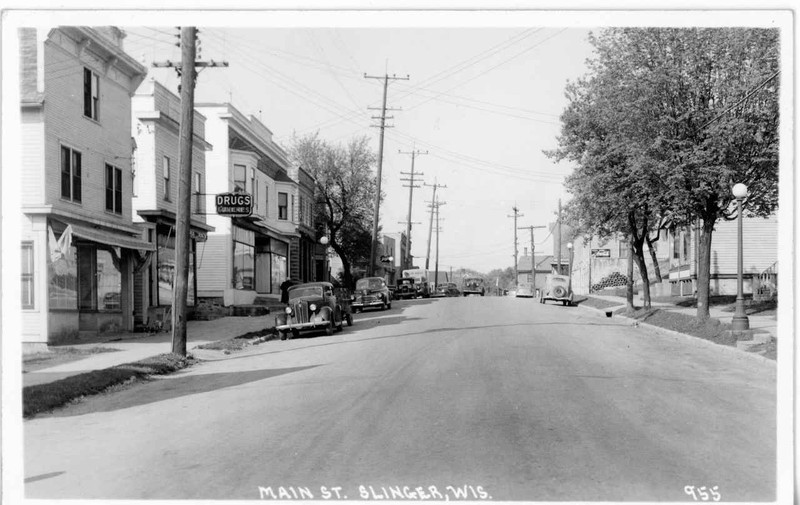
(137, 346)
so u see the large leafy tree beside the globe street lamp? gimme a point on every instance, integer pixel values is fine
(695, 111)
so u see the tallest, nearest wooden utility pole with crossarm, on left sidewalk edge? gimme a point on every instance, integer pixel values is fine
(186, 70)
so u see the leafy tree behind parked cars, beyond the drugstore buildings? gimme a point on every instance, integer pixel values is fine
(345, 185)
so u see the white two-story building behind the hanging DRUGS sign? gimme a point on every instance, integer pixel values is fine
(245, 257)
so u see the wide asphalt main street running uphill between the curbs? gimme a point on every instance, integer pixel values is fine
(476, 398)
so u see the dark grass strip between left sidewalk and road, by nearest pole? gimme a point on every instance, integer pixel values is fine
(46, 397)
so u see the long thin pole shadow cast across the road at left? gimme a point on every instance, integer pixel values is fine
(175, 386)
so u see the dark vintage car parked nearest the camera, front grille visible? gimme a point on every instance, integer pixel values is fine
(312, 306)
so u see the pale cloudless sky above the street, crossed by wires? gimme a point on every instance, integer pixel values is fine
(482, 103)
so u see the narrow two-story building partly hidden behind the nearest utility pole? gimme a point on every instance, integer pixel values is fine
(155, 178)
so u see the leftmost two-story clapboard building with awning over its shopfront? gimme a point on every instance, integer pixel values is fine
(79, 244)
